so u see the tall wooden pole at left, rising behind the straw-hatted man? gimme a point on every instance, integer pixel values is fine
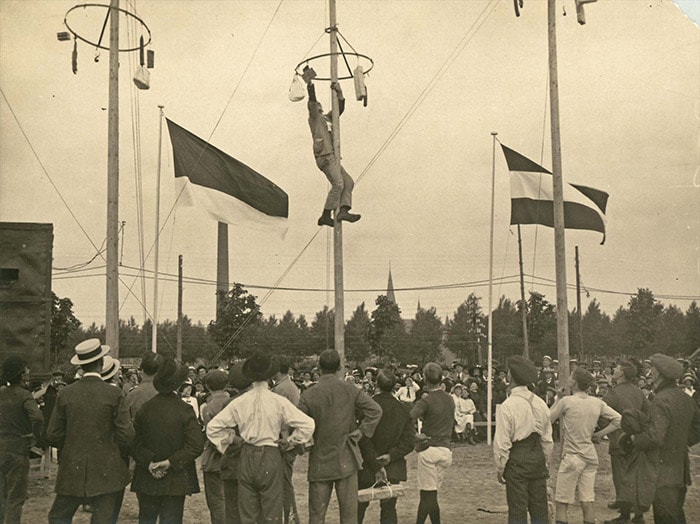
(112, 284)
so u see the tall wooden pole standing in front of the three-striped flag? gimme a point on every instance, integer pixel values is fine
(558, 195)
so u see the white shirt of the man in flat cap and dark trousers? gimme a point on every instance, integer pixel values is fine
(516, 421)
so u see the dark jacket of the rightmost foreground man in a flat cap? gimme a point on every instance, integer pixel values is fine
(674, 425)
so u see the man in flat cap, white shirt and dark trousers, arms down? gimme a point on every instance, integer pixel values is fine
(522, 446)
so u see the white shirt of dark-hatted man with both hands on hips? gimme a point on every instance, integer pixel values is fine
(259, 415)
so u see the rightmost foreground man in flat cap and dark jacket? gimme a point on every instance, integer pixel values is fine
(674, 425)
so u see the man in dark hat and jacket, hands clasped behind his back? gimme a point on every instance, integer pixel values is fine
(168, 440)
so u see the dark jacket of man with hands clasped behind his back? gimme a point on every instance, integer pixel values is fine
(167, 428)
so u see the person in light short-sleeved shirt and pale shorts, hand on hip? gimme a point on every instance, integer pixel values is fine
(579, 414)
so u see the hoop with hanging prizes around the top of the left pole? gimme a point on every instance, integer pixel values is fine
(77, 32)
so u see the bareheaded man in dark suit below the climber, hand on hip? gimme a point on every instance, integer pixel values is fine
(335, 458)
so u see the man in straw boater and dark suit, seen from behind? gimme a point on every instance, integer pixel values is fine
(90, 422)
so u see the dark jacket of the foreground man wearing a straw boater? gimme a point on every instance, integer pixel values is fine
(89, 423)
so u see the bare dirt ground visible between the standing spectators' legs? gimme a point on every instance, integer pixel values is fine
(470, 493)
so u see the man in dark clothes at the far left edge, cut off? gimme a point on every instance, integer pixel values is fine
(20, 421)
